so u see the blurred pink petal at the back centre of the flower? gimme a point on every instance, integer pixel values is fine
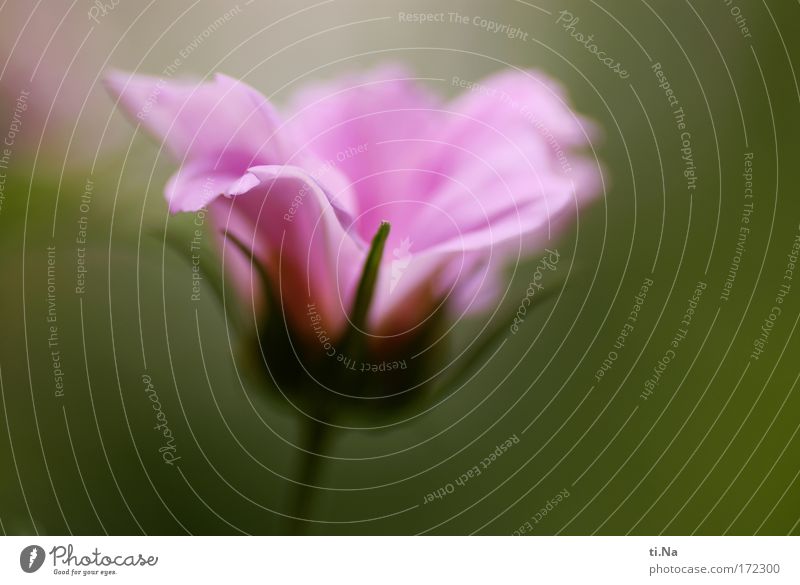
(360, 125)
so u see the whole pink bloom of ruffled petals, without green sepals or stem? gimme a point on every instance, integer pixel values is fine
(466, 185)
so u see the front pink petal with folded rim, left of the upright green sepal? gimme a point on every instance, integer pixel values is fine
(311, 258)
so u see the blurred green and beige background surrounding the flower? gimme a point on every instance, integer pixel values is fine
(713, 450)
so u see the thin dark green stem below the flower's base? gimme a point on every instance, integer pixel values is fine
(310, 466)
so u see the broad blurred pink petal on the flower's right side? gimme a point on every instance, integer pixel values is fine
(502, 187)
